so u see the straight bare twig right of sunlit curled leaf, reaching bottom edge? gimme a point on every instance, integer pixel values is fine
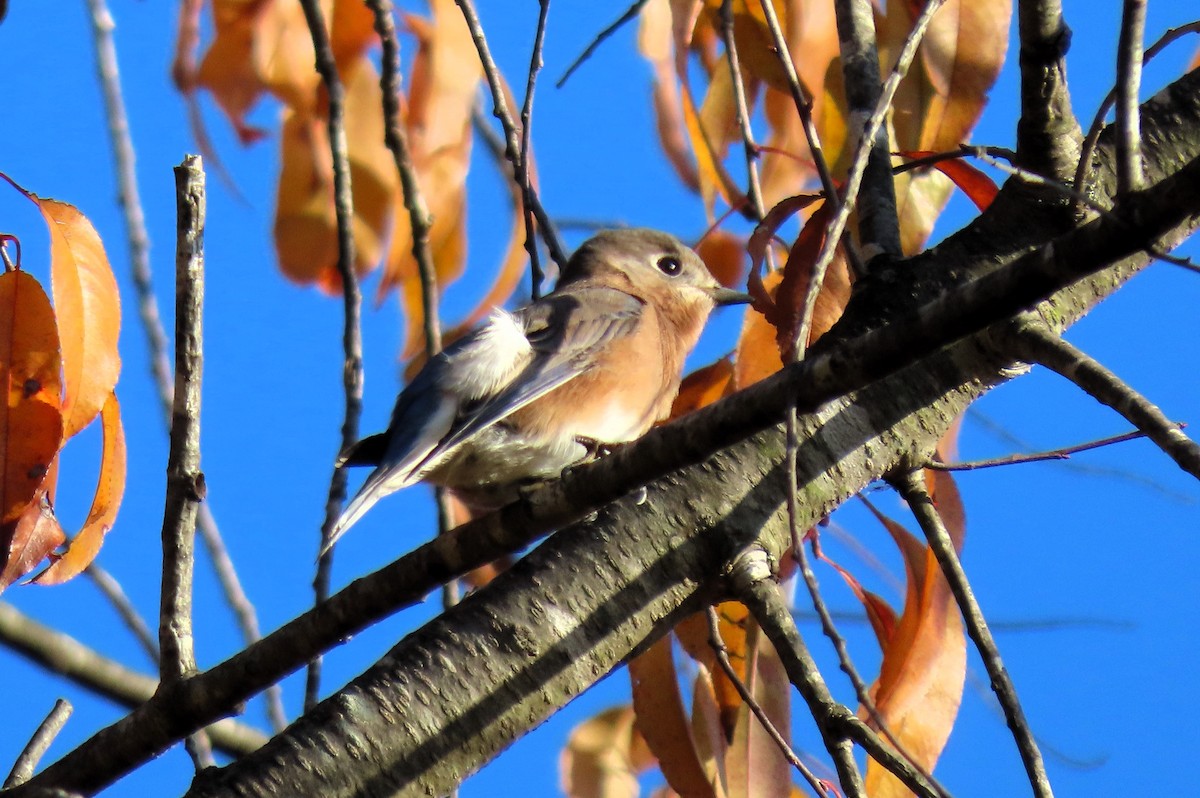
(913, 488)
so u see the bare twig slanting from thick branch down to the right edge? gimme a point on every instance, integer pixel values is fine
(1035, 344)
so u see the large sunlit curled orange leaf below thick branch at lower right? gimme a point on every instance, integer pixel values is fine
(925, 665)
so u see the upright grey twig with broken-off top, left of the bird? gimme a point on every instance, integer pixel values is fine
(185, 482)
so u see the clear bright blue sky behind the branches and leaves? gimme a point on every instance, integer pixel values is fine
(1109, 539)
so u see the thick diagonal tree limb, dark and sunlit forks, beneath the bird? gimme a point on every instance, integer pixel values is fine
(596, 593)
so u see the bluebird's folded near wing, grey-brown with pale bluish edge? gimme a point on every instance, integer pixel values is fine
(566, 329)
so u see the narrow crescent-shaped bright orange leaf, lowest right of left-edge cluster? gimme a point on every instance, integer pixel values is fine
(107, 501)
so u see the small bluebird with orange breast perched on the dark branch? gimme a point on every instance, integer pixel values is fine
(531, 393)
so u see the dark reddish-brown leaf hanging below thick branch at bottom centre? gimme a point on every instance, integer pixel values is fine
(663, 721)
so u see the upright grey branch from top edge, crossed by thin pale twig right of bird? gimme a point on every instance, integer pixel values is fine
(879, 223)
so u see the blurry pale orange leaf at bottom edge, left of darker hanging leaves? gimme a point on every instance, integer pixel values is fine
(604, 755)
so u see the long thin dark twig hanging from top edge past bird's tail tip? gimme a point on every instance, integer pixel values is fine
(352, 302)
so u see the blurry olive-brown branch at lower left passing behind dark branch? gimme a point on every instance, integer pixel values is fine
(85, 667)
